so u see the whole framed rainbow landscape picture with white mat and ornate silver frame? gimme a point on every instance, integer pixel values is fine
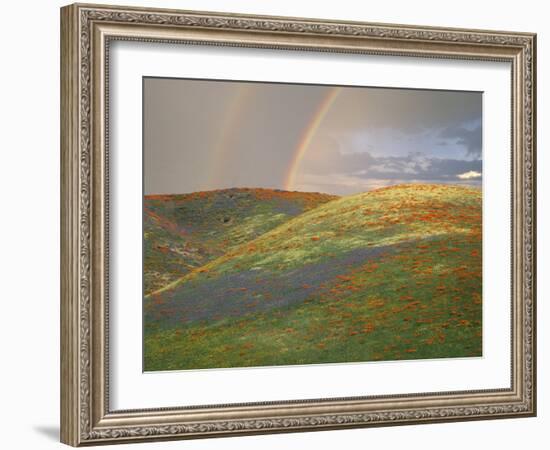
(275, 224)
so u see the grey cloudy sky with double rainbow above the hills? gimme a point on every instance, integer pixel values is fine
(204, 135)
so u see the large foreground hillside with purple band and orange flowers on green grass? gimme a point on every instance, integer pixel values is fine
(389, 274)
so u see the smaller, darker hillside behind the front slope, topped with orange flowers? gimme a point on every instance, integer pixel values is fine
(183, 232)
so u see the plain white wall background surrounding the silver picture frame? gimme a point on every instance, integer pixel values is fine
(29, 225)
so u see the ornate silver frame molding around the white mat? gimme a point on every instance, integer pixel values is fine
(86, 31)
